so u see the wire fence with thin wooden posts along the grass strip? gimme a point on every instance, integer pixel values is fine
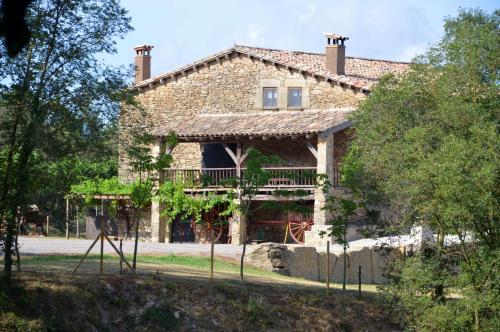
(325, 267)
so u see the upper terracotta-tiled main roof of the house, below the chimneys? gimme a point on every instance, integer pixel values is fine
(360, 73)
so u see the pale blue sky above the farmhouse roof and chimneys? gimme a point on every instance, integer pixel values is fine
(183, 31)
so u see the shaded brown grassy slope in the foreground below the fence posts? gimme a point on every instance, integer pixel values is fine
(51, 302)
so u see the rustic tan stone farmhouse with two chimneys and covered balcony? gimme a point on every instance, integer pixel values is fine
(291, 104)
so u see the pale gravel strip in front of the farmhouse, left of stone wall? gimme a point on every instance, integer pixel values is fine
(42, 245)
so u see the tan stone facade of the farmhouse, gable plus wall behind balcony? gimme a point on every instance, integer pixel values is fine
(234, 85)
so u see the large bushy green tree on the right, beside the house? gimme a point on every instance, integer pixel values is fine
(427, 143)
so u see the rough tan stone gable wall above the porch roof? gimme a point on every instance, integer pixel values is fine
(232, 86)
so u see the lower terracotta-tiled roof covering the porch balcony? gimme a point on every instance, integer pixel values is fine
(258, 124)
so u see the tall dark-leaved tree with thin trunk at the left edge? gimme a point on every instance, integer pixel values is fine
(58, 72)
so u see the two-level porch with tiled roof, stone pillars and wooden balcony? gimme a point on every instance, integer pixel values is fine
(213, 150)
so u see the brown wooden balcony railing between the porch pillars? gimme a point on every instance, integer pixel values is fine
(280, 177)
